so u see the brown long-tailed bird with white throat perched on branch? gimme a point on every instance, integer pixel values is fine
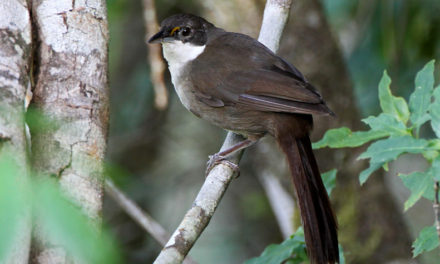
(235, 82)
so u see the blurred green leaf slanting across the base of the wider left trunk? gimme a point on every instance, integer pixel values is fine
(65, 224)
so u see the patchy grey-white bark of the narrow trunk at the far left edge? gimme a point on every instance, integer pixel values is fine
(15, 50)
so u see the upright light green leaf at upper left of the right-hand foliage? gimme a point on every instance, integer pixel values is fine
(395, 106)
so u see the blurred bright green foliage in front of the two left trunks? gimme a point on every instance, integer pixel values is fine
(63, 222)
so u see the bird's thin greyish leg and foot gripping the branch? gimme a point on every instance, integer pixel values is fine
(221, 157)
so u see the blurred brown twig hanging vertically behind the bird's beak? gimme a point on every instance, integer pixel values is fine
(155, 60)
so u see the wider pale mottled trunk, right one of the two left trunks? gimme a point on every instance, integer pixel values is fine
(72, 91)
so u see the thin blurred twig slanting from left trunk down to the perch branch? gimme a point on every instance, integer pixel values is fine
(139, 216)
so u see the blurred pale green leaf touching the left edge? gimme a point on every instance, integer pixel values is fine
(13, 202)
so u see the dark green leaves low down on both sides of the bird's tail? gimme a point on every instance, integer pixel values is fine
(293, 249)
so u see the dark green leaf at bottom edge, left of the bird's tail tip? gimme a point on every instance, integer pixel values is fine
(278, 253)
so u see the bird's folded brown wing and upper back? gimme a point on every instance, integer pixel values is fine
(257, 79)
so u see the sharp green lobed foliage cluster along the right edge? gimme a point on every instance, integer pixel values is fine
(395, 132)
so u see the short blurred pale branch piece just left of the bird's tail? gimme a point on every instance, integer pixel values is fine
(282, 203)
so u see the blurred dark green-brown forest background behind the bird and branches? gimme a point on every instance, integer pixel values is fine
(342, 46)
